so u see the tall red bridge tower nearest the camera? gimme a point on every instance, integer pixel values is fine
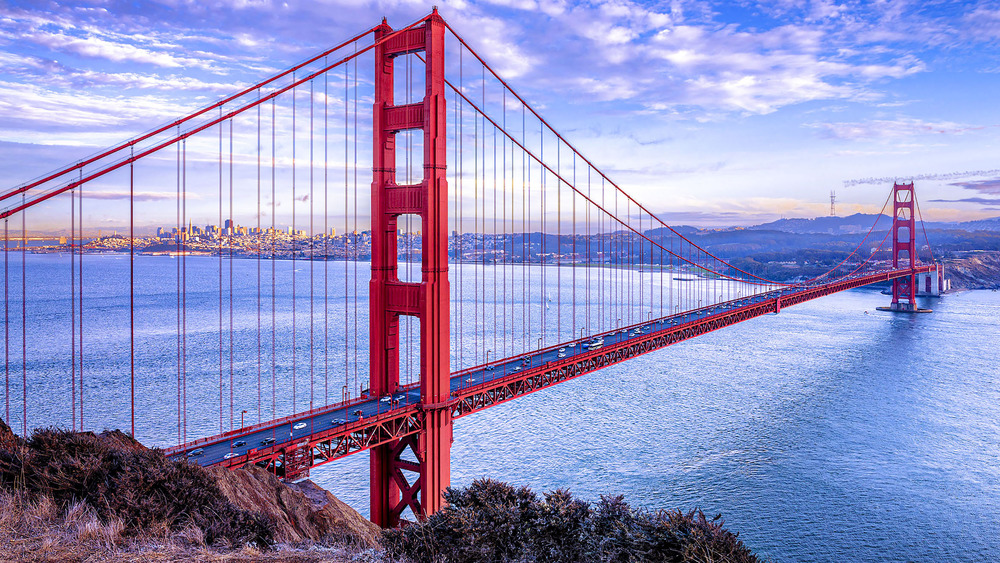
(396, 482)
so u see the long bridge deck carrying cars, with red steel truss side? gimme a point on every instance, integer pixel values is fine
(335, 431)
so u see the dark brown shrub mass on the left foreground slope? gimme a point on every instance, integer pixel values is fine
(122, 480)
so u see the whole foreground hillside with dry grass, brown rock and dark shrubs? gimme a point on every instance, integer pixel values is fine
(80, 496)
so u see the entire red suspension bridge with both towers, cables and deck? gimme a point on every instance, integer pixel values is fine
(490, 259)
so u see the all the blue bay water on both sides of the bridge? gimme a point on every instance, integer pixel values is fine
(829, 432)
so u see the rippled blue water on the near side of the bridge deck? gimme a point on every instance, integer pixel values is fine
(822, 434)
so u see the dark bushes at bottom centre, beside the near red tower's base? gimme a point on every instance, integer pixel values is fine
(492, 521)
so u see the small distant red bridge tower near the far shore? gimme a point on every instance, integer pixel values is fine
(904, 246)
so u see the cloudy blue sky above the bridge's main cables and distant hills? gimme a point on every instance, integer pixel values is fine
(710, 113)
